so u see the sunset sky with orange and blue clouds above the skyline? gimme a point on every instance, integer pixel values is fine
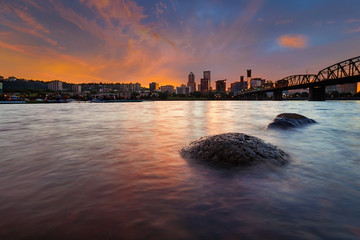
(82, 41)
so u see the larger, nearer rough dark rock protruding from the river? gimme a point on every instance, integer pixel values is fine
(234, 149)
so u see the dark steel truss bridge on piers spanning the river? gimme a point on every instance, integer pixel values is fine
(347, 71)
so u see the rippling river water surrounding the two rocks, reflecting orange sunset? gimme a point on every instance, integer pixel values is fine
(71, 171)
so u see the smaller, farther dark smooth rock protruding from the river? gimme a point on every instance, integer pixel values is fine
(290, 120)
